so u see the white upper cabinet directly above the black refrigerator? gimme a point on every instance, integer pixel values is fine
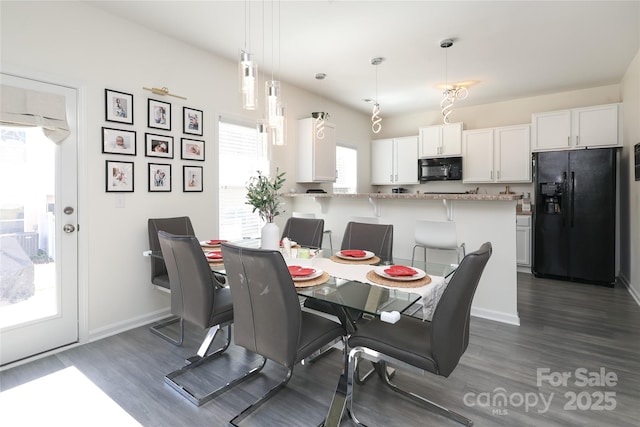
(597, 126)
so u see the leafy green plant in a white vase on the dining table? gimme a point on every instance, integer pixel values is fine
(263, 194)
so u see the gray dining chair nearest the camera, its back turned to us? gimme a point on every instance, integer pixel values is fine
(268, 318)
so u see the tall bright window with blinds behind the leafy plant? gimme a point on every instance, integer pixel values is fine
(239, 158)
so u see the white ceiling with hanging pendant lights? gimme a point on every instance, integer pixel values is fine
(509, 49)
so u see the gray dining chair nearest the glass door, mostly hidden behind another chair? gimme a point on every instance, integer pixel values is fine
(159, 277)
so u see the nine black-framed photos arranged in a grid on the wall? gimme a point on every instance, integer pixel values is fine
(159, 144)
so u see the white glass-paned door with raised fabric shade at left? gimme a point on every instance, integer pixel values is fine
(38, 231)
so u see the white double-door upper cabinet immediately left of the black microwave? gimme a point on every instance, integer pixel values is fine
(394, 161)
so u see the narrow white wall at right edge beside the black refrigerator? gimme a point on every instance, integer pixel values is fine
(629, 187)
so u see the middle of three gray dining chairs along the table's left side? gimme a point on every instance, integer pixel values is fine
(197, 298)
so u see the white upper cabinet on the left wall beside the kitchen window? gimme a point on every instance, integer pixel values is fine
(316, 157)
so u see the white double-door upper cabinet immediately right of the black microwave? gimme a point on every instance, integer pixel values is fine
(500, 154)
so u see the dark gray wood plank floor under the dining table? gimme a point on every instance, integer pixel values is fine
(565, 328)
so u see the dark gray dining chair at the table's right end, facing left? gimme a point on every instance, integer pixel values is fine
(434, 346)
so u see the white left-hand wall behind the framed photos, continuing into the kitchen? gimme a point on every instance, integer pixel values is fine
(72, 41)
